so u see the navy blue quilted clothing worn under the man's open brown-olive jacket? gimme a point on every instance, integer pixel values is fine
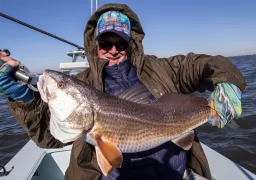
(167, 161)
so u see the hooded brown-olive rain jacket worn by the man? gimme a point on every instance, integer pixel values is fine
(181, 73)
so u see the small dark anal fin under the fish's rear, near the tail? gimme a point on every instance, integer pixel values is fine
(185, 140)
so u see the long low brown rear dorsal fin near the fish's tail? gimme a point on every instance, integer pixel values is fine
(176, 99)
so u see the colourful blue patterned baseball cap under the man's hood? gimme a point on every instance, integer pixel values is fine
(116, 22)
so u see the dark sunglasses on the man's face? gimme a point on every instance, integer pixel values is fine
(107, 45)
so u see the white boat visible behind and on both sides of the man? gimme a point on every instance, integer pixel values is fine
(35, 163)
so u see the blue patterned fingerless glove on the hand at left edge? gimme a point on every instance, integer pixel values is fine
(10, 87)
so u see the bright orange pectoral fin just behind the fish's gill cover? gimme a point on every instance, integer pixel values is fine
(110, 151)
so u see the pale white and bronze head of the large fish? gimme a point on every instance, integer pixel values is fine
(71, 113)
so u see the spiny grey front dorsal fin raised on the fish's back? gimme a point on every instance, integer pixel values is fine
(137, 93)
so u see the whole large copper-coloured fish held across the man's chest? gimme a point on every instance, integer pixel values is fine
(115, 125)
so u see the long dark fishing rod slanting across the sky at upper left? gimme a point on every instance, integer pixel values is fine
(41, 31)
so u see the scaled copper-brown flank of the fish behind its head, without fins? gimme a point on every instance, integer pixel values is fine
(138, 127)
